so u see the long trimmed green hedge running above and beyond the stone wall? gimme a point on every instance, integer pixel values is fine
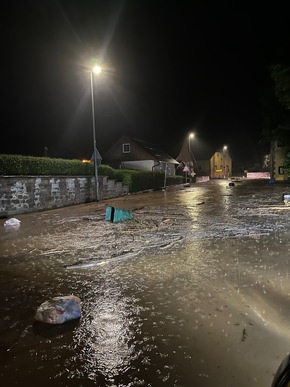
(29, 165)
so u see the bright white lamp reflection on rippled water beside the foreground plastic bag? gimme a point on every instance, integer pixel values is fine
(104, 338)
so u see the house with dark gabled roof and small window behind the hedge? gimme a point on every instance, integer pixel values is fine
(130, 153)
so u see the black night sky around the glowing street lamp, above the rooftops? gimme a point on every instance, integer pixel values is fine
(170, 68)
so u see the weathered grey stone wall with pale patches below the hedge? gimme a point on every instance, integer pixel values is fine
(23, 194)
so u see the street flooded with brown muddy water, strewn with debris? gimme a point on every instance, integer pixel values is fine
(193, 291)
